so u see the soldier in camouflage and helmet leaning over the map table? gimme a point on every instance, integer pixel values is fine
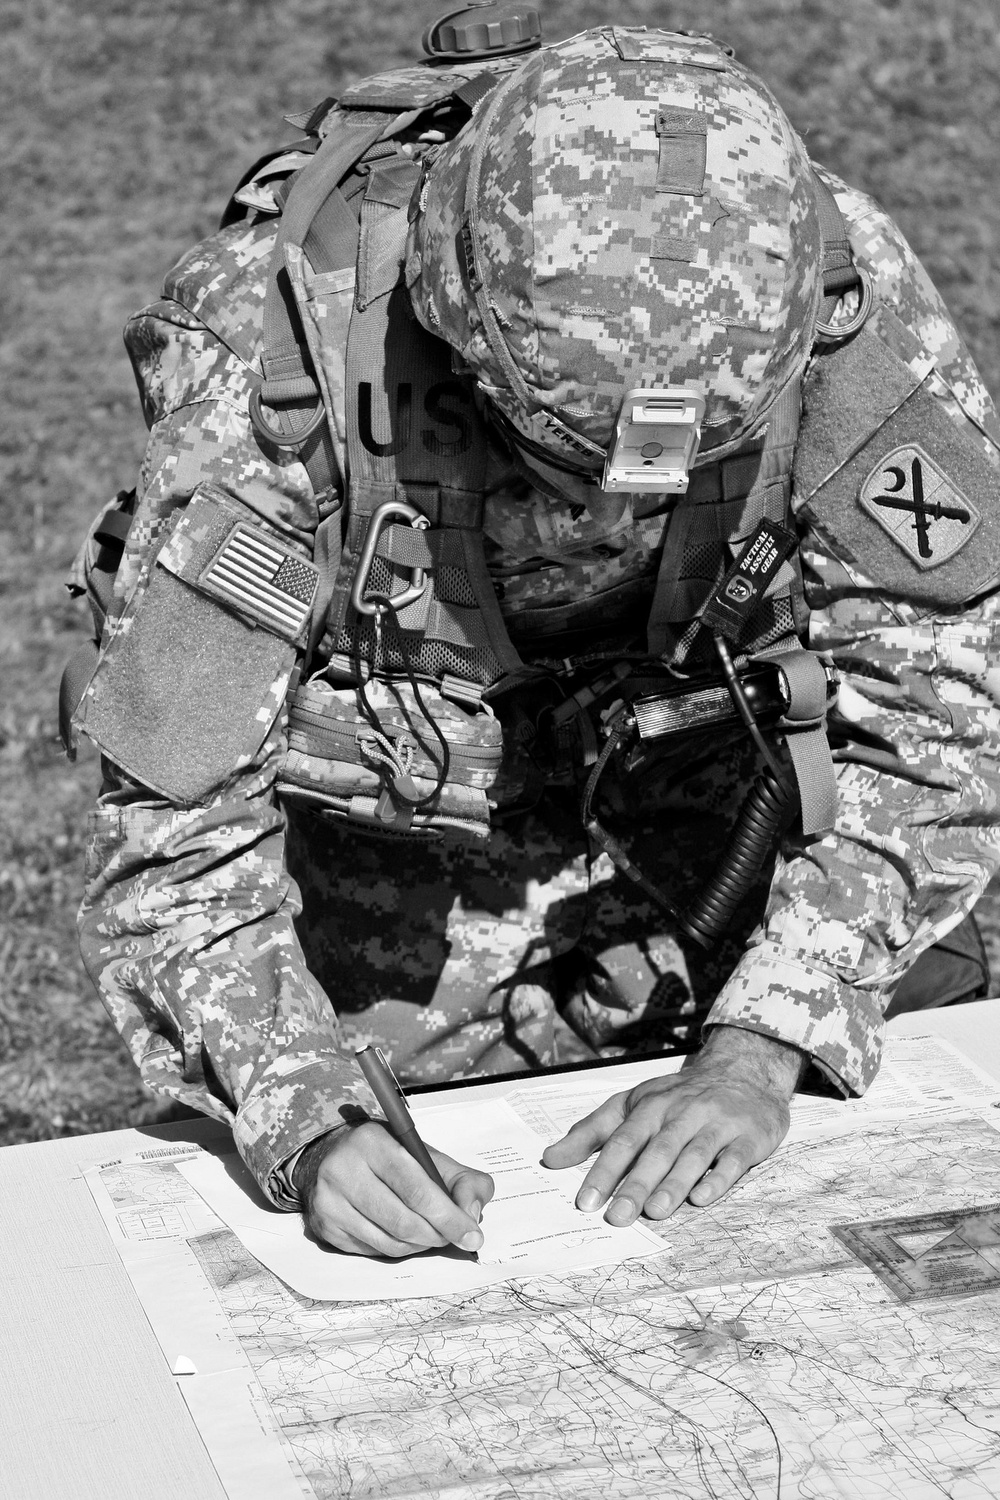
(461, 622)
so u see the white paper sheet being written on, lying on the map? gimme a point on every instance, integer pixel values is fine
(531, 1228)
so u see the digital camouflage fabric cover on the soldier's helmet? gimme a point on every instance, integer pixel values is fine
(626, 209)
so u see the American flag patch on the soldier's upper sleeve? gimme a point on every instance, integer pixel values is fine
(272, 586)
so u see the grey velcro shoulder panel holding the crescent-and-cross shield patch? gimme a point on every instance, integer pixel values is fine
(894, 487)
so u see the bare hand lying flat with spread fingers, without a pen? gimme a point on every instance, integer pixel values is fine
(692, 1135)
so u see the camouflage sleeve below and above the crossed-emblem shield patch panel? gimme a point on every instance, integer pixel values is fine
(917, 839)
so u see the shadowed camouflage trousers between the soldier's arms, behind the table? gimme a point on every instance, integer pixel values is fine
(531, 950)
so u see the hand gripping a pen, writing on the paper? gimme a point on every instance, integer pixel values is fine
(364, 1193)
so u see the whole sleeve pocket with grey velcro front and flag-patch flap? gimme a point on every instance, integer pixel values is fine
(199, 665)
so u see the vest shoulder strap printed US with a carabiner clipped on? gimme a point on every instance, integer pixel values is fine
(416, 454)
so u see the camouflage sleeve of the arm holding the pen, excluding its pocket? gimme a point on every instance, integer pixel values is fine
(187, 925)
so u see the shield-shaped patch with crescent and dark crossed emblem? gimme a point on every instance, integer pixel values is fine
(918, 506)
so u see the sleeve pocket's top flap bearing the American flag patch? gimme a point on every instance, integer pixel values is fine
(220, 548)
